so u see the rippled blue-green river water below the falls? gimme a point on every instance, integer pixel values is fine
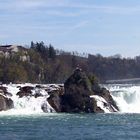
(71, 127)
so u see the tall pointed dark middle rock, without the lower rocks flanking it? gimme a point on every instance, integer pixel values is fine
(77, 93)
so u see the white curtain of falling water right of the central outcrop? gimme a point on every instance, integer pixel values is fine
(127, 97)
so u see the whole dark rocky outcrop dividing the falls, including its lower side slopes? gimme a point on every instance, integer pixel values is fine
(79, 96)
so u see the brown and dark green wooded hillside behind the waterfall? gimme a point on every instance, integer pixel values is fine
(40, 63)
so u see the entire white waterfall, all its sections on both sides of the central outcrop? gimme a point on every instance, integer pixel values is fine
(127, 98)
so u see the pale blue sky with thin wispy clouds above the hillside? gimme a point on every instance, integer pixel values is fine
(105, 27)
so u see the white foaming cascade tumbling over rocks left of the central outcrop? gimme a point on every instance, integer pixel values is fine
(27, 105)
